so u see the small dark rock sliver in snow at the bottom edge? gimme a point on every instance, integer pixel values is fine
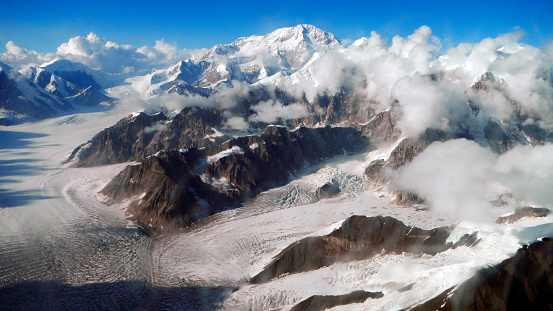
(320, 302)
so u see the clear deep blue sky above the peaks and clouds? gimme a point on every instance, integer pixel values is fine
(44, 25)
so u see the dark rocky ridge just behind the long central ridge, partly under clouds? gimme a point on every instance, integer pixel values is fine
(135, 138)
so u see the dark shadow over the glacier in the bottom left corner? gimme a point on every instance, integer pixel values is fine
(123, 295)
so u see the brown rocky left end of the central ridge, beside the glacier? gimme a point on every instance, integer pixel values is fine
(168, 192)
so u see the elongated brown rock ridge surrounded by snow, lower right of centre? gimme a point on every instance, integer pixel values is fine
(358, 238)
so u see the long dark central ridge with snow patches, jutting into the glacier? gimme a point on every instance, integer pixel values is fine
(174, 189)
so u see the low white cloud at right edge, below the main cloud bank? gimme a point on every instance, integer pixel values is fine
(460, 178)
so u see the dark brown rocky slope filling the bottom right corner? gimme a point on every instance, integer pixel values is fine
(522, 282)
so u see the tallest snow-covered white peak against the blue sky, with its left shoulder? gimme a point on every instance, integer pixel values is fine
(249, 59)
